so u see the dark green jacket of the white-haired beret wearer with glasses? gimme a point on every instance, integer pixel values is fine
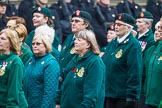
(123, 68)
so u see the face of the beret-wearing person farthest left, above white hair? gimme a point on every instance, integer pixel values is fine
(39, 19)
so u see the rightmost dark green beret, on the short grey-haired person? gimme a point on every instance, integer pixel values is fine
(144, 14)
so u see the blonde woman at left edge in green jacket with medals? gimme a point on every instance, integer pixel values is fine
(11, 71)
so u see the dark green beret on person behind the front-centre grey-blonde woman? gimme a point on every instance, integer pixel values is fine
(82, 14)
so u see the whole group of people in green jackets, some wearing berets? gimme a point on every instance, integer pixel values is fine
(127, 73)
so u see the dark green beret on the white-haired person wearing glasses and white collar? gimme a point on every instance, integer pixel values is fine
(126, 18)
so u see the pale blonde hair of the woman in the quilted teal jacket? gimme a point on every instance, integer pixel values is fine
(46, 41)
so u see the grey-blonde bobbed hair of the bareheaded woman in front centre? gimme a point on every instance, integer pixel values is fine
(89, 36)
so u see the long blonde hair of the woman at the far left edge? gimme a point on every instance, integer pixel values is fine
(13, 38)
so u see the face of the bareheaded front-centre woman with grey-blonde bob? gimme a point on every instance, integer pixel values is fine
(81, 46)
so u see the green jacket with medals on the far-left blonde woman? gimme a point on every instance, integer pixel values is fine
(11, 78)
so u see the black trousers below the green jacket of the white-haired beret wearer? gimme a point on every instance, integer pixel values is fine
(118, 103)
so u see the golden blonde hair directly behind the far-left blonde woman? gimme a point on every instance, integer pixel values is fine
(21, 30)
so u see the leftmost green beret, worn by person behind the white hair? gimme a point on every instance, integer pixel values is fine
(42, 10)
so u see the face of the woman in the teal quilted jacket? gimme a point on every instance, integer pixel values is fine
(38, 46)
